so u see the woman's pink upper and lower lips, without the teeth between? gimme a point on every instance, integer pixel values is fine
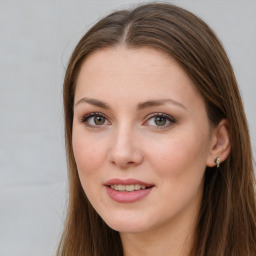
(124, 196)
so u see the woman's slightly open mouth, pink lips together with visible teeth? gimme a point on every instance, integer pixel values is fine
(127, 191)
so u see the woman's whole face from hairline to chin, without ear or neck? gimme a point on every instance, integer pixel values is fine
(141, 139)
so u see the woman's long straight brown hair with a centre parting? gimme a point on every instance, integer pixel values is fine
(227, 219)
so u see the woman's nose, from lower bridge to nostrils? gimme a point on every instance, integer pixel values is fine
(125, 151)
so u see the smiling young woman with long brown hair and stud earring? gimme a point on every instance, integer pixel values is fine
(157, 143)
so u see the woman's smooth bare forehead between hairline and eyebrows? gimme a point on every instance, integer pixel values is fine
(124, 73)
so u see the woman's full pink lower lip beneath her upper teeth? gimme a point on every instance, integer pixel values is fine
(127, 197)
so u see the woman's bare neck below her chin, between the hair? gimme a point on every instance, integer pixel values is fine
(171, 240)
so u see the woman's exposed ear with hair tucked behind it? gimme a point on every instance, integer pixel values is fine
(220, 146)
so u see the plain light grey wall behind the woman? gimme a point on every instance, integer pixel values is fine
(36, 39)
